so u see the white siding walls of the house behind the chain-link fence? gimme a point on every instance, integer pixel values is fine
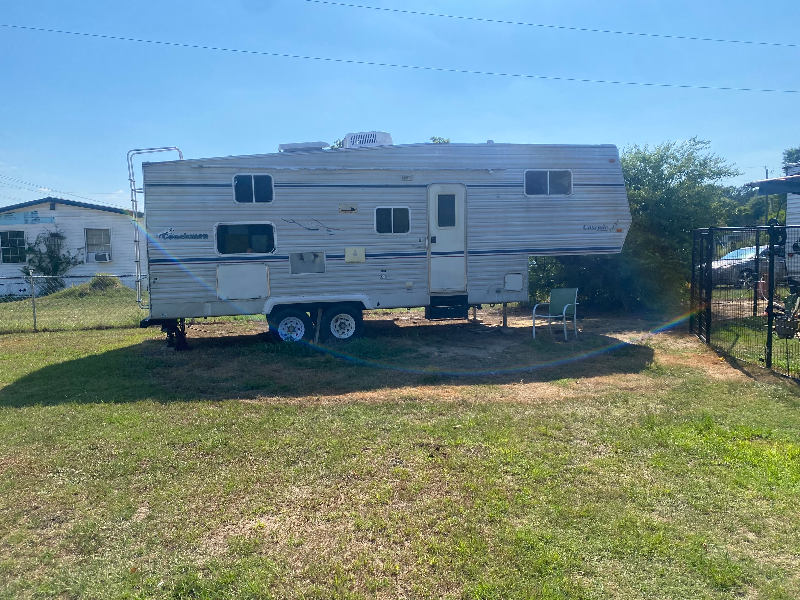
(72, 221)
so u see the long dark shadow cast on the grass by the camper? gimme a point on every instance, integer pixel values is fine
(230, 361)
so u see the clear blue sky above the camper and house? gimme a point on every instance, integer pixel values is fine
(71, 107)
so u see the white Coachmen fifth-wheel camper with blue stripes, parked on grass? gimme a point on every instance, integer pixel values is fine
(309, 231)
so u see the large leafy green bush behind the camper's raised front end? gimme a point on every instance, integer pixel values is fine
(673, 188)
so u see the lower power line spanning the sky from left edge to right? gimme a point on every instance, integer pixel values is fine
(401, 66)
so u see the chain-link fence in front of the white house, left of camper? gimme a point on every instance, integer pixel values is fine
(42, 303)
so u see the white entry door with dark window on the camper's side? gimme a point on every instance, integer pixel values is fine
(447, 234)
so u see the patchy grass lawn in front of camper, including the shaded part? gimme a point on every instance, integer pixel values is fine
(424, 461)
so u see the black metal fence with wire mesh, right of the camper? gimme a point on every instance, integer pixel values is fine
(745, 296)
